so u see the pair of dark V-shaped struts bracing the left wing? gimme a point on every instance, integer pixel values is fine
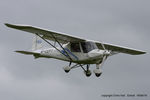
(67, 55)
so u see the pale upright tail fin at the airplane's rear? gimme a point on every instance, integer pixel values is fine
(37, 43)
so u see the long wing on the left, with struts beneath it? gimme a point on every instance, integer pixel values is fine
(49, 35)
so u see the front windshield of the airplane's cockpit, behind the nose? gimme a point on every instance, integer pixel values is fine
(88, 46)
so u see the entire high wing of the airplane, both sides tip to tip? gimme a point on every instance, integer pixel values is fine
(64, 38)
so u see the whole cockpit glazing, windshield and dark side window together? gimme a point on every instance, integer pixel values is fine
(82, 46)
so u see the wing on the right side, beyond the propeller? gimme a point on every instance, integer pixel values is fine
(119, 49)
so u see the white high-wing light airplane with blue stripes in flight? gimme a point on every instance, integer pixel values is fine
(77, 51)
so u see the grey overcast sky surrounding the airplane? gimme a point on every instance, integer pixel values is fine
(119, 22)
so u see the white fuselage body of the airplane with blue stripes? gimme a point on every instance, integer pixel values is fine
(92, 57)
